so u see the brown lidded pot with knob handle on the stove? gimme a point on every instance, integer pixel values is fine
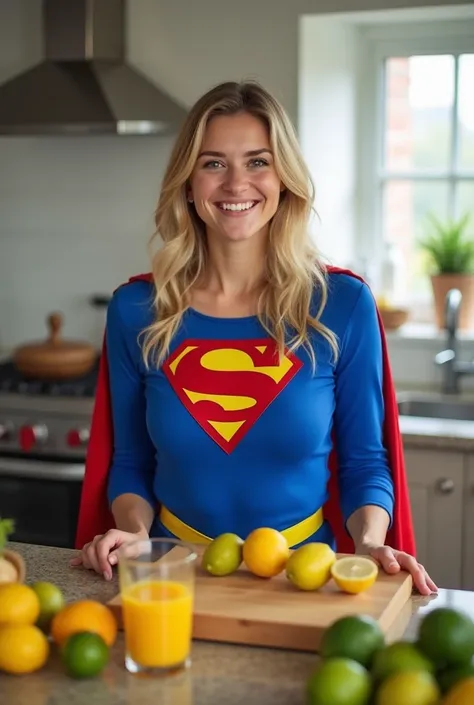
(55, 358)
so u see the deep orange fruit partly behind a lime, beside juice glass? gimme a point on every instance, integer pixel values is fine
(84, 616)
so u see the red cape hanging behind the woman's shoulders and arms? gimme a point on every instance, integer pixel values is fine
(96, 518)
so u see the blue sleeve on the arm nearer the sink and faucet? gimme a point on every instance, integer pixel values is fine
(364, 476)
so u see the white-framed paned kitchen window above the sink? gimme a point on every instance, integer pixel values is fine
(418, 148)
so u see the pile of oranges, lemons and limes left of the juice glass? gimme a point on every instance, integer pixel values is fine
(33, 617)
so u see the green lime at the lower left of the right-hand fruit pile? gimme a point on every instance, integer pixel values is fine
(339, 681)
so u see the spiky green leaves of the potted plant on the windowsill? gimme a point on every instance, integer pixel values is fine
(449, 248)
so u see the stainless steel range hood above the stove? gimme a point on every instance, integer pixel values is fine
(84, 85)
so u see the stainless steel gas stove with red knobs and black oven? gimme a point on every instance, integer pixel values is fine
(44, 433)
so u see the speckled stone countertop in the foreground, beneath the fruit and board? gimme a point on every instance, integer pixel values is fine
(221, 674)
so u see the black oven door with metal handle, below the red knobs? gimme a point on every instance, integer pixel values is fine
(42, 498)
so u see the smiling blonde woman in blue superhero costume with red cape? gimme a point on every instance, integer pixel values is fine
(241, 366)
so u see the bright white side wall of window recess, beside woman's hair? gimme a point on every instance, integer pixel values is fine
(328, 65)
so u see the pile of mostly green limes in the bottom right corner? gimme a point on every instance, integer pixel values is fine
(357, 666)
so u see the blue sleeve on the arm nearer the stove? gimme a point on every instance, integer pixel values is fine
(133, 464)
